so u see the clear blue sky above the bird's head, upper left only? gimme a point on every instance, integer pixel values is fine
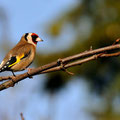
(34, 16)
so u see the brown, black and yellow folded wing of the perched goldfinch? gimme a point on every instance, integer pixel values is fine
(15, 56)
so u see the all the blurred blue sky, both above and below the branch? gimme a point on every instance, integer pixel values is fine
(33, 16)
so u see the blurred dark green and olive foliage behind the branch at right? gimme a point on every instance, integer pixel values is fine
(100, 20)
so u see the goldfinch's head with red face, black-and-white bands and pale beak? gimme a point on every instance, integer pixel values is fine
(31, 38)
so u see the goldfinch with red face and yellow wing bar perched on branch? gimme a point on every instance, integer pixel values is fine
(22, 55)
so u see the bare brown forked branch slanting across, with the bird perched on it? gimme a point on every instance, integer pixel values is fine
(62, 64)
